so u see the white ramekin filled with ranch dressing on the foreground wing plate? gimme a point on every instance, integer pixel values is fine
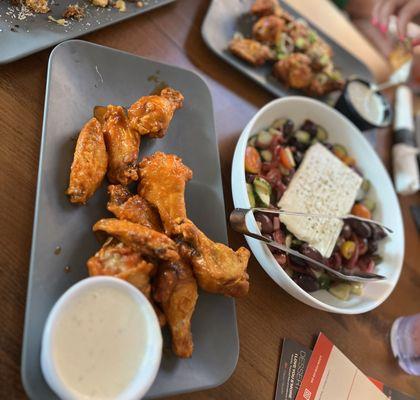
(102, 340)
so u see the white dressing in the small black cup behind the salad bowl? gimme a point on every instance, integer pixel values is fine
(366, 102)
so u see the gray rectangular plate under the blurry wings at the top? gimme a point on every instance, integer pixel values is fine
(224, 18)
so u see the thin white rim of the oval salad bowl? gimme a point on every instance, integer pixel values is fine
(307, 297)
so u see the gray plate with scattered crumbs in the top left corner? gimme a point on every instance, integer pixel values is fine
(36, 33)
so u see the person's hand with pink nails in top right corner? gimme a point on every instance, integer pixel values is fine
(405, 11)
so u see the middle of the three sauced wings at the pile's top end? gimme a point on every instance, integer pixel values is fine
(122, 144)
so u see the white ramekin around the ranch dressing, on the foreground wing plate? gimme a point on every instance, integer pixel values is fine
(149, 364)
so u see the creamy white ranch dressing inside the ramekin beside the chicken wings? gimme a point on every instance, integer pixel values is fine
(98, 342)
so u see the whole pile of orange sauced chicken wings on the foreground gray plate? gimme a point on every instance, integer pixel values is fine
(151, 242)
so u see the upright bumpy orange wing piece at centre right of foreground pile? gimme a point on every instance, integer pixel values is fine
(162, 184)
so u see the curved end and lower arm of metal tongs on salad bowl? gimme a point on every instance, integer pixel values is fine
(238, 224)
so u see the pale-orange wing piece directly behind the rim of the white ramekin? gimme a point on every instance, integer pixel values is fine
(117, 259)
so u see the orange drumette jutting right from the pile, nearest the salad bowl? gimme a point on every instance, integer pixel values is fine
(218, 268)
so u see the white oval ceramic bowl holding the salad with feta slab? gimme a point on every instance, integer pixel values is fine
(340, 130)
